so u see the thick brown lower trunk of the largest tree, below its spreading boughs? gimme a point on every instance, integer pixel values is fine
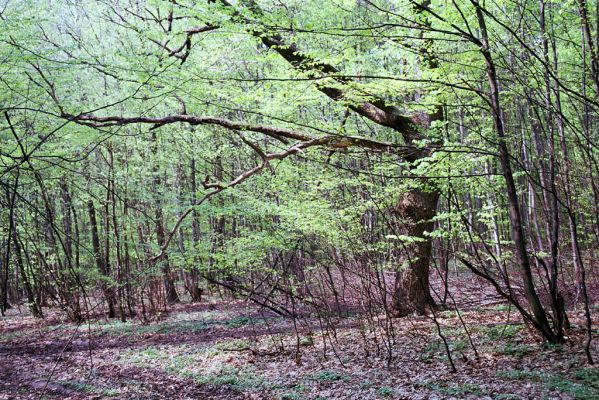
(416, 209)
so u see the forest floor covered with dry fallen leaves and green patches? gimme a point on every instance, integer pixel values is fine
(230, 350)
